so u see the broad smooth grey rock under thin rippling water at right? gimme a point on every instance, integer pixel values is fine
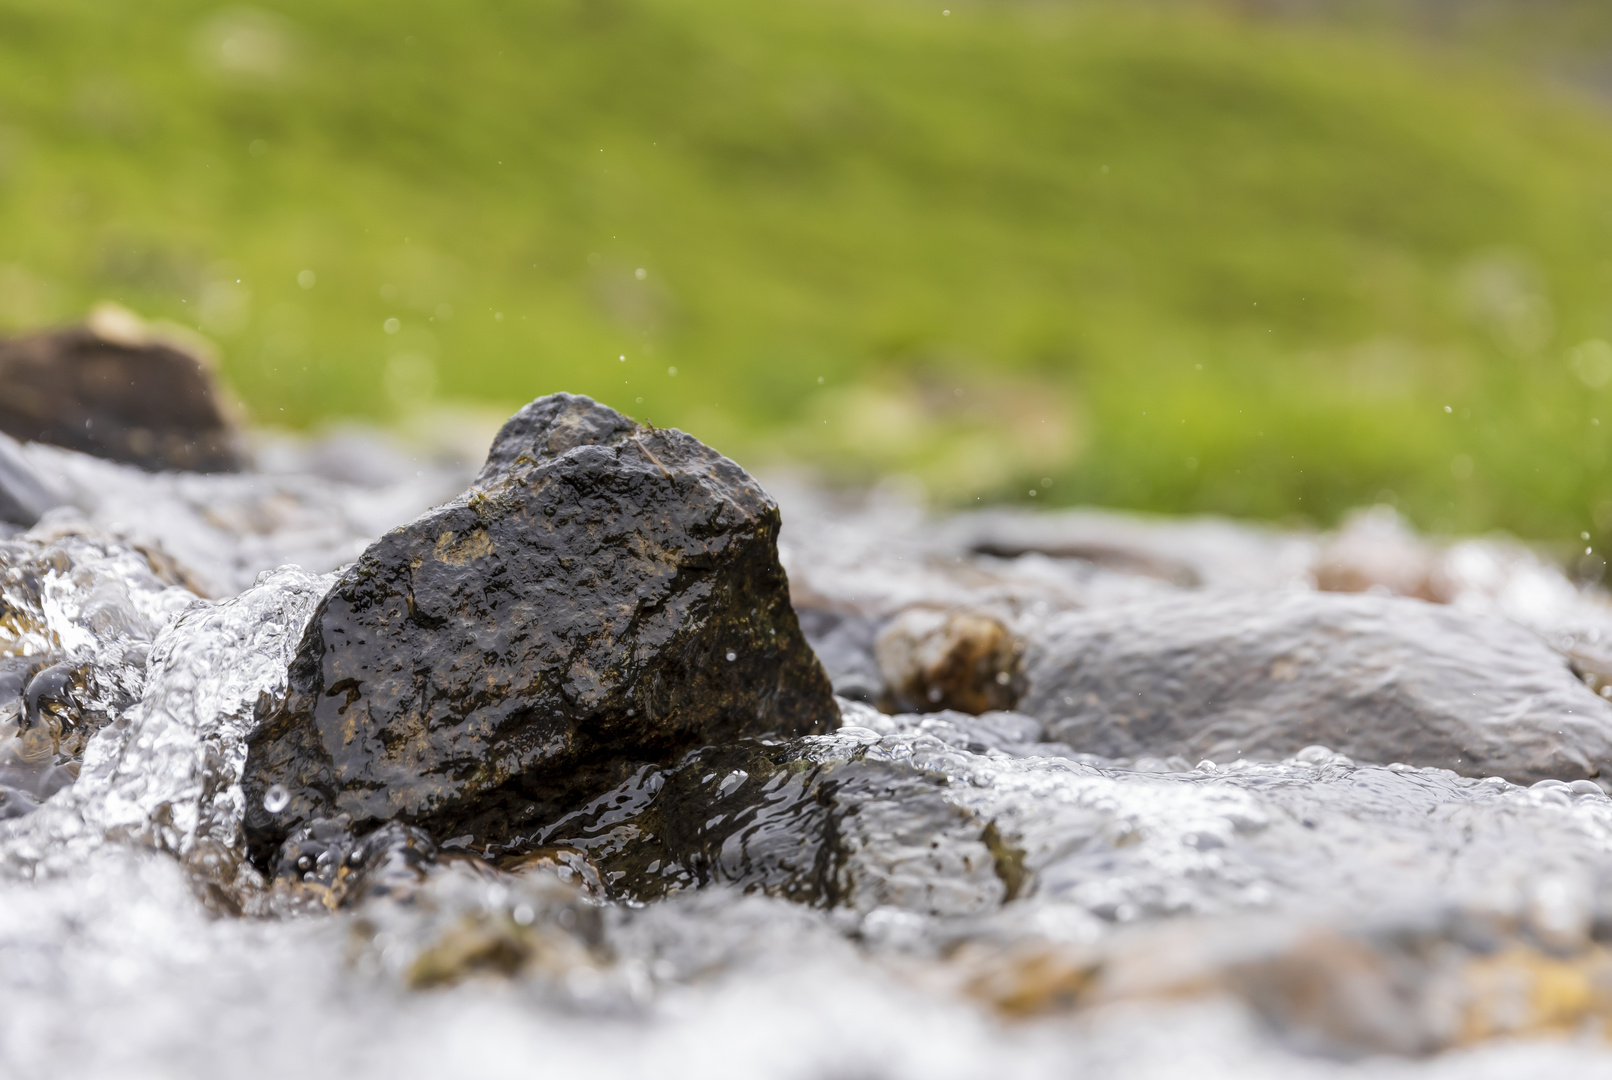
(1265, 676)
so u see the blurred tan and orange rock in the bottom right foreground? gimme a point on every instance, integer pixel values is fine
(1408, 991)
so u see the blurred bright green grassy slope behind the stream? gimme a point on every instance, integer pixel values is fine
(1152, 257)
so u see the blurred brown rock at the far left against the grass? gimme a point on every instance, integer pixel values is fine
(114, 393)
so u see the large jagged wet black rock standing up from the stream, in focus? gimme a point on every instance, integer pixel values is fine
(604, 596)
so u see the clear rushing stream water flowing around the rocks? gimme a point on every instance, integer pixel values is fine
(915, 895)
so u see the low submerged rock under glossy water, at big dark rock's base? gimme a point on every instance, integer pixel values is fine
(820, 821)
